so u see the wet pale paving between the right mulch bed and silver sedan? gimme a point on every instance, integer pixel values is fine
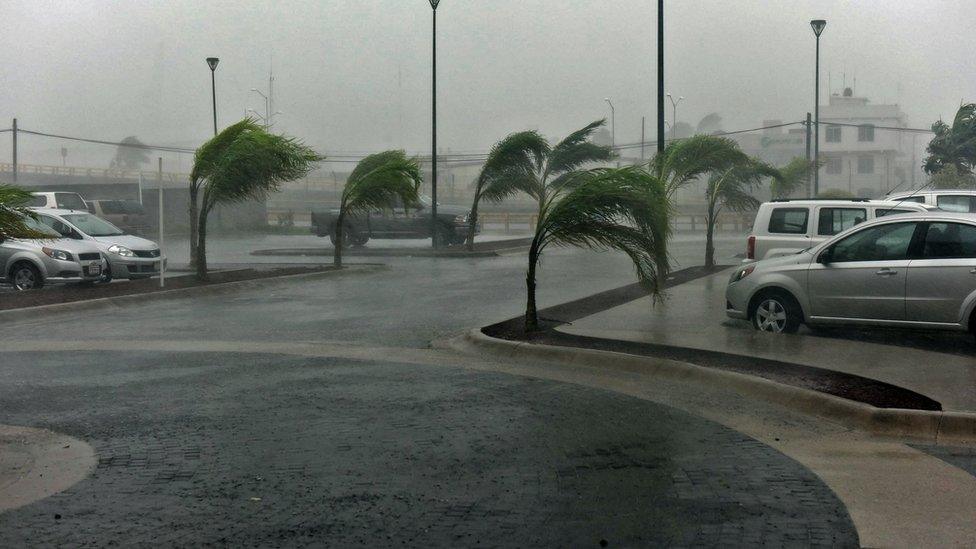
(693, 316)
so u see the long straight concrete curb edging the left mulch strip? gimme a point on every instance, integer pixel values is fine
(102, 303)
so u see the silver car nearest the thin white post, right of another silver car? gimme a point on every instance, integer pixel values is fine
(128, 256)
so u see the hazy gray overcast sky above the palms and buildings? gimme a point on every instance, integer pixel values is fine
(355, 75)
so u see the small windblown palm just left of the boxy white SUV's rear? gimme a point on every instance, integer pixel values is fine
(732, 189)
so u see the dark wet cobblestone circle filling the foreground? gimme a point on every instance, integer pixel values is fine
(264, 450)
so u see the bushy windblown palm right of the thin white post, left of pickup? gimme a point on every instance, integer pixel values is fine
(244, 162)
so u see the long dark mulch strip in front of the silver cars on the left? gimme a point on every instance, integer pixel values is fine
(70, 293)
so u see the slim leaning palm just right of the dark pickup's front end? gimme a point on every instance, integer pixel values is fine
(510, 168)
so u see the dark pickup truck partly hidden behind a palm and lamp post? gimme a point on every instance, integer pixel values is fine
(398, 222)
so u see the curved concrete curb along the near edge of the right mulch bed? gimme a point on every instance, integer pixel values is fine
(936, 427)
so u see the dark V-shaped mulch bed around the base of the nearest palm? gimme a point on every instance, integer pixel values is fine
(849, 386)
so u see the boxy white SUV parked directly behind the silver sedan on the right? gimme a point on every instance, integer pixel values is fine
(784, 227)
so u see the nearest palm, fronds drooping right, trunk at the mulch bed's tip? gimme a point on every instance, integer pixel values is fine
(624, 209)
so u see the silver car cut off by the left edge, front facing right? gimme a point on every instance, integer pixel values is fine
(29, 264)
